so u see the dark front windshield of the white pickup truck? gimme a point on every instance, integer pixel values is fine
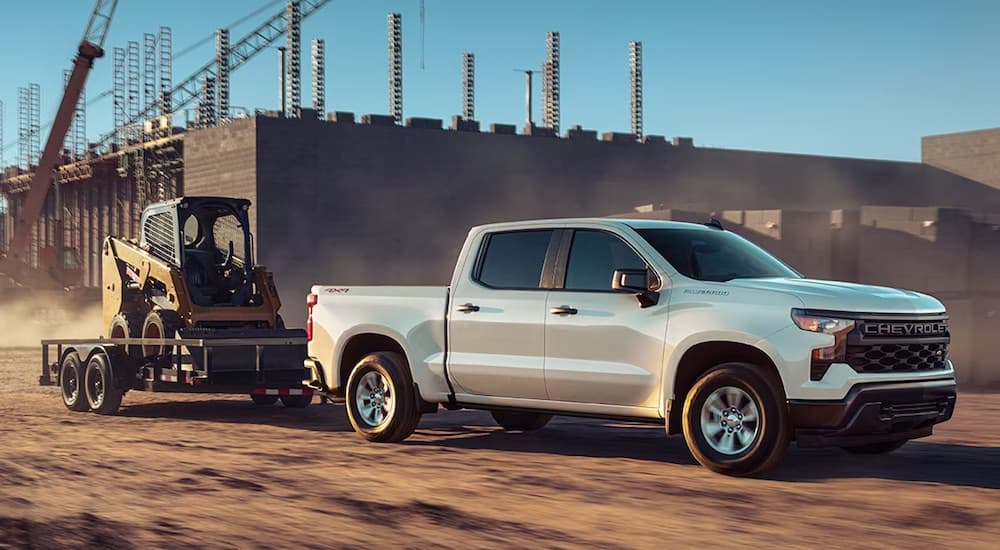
(714, 255)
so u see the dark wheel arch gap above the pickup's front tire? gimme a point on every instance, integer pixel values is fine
(699, 358)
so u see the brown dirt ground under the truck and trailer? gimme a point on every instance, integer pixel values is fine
(214, 471)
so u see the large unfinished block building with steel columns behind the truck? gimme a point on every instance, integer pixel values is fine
(383, 199)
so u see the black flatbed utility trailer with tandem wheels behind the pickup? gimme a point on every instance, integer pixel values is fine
(94, 374)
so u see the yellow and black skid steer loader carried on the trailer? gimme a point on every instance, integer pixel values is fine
(191, 275)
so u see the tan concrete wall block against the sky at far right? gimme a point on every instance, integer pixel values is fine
(975, 154)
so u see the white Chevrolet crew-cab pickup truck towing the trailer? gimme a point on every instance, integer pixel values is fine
(686, 325)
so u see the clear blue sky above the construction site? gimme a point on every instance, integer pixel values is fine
(860, 78)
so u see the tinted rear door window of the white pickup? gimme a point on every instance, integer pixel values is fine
(514, 260)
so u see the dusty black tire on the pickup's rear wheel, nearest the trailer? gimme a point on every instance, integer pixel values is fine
(388, 371)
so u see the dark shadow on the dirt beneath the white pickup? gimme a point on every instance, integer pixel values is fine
(920, 461)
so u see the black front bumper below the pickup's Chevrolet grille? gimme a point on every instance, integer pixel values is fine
(872, 413)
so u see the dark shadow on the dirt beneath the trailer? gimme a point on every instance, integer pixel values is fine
(316, 417)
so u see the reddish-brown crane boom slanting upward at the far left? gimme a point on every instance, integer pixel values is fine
(14, 265)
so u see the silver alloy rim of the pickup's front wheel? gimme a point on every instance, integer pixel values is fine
(730, 420)
